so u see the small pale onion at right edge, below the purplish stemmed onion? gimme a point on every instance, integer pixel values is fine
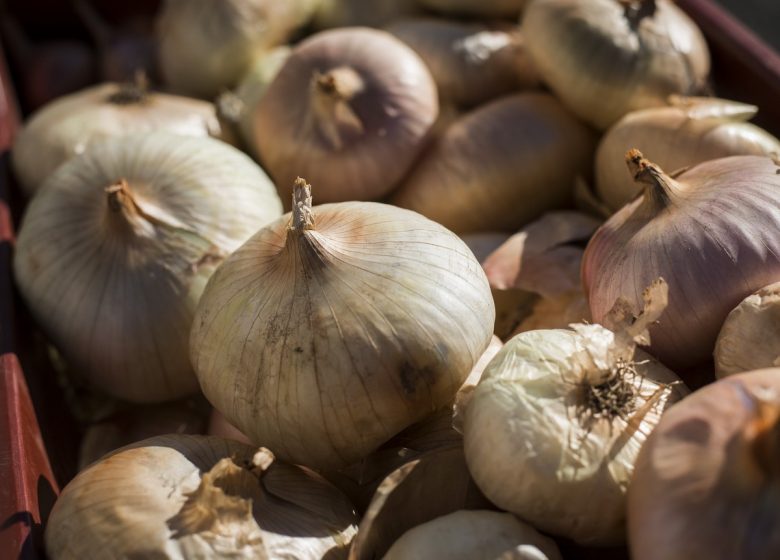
(750, 336)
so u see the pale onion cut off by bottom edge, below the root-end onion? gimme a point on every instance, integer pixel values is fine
(474, 535)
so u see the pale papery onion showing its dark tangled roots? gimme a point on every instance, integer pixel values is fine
(558, 418)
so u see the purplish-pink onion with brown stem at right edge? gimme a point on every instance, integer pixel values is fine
(710, 232)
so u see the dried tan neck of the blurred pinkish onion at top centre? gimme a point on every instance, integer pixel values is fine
(332, 111)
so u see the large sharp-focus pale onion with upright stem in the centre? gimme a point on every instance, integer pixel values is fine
(333, 329)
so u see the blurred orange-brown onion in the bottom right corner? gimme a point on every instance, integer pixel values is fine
(701, 488)
